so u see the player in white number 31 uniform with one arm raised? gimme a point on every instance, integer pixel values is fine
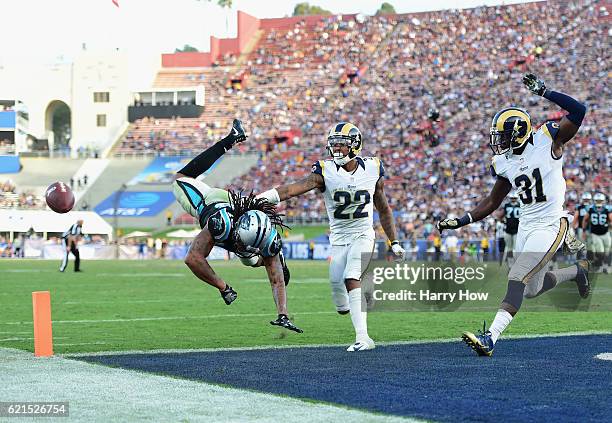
(532, 163)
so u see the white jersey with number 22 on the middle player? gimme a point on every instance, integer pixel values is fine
(349, 197)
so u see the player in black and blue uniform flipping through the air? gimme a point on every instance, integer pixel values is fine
(242, 225)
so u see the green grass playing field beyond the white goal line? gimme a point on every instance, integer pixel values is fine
(145, 305)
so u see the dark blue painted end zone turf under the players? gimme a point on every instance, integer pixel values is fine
(543, 379)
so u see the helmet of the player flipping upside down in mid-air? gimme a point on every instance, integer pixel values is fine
(255, 235)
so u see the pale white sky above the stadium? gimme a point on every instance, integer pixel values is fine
(40, 31)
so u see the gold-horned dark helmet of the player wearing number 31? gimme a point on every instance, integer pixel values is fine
(510, 129)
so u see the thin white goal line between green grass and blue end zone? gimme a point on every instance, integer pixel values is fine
(279, 347)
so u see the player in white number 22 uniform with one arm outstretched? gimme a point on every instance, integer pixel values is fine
(351, 186)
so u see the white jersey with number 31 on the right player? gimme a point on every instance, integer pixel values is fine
(537, 176)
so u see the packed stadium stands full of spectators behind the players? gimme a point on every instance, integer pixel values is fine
(384, 73)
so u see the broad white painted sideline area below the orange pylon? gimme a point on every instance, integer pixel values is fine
(112, 394)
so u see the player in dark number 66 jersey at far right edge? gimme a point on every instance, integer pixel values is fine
(597, 220)
